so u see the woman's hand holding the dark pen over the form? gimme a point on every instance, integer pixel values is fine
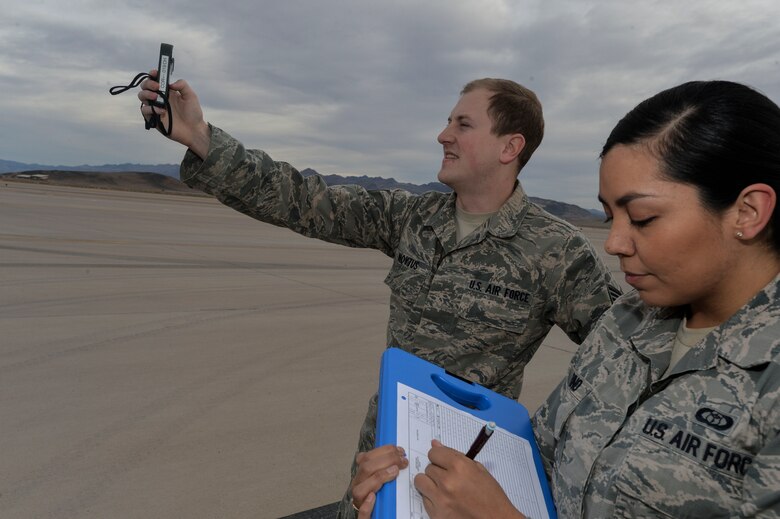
(454, 486)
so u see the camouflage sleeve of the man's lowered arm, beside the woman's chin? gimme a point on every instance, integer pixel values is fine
(583, 290)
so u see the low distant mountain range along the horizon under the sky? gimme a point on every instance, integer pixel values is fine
(152, 178)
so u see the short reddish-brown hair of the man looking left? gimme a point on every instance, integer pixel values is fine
(513, 108)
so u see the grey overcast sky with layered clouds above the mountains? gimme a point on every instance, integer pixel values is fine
(360, 87)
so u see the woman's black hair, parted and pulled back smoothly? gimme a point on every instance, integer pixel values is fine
(716, 136)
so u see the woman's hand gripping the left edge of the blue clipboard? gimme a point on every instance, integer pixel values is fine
(375, 468)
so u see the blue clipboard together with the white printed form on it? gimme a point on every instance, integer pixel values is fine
(419, 401)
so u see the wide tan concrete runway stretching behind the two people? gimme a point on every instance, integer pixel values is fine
(164, 356)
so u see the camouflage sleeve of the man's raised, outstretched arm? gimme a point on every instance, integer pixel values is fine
(251, 182)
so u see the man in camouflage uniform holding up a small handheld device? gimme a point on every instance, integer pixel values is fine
(479, 275)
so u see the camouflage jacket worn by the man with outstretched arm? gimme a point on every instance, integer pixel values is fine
(479, 308)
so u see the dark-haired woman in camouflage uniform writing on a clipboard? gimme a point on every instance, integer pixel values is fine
(671, 407)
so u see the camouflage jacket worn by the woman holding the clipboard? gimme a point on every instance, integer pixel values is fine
(620, 439)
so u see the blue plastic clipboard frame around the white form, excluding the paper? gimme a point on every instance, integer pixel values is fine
(399, 366)
